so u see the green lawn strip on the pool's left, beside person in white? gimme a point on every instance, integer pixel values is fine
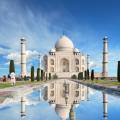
(8, 84)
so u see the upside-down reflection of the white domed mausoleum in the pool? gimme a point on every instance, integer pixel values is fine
(64, 96)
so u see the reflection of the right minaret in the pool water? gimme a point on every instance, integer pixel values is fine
(105, 106)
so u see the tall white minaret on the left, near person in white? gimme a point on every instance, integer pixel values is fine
(23, 57)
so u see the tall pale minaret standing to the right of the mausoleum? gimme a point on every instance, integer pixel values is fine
(105, 58)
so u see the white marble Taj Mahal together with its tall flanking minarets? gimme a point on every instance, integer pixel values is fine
(65, 60)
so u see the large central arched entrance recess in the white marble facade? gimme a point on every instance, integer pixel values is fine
(64, 65)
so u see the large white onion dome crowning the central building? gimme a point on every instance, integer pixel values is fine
(63, 44)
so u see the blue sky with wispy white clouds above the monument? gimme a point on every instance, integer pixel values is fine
(42, 22)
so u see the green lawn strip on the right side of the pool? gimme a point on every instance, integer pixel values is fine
(103, 82)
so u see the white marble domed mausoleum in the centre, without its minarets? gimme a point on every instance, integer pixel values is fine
(64, 60)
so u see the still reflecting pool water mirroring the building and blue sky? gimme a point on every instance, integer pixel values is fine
(61, 100)
